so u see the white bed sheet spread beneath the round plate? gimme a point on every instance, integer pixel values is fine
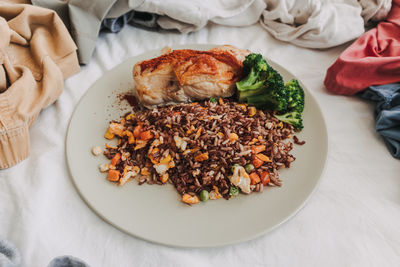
(351, 220)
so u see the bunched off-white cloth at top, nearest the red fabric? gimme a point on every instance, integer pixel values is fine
(313, 23)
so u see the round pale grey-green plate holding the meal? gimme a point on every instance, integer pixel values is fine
(155, 213)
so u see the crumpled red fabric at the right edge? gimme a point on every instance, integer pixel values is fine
(373, 59)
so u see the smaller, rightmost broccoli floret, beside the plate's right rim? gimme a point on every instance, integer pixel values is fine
(295, 107)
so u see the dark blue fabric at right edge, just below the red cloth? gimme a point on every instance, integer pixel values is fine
(387, 114)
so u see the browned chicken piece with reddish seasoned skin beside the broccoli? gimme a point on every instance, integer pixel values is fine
(185, 75)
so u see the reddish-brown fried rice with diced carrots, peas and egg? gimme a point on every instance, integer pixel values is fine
(207, 150)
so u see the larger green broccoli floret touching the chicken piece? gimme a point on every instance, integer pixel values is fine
(262, 86)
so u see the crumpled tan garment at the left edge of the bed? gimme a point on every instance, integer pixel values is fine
(36, 55)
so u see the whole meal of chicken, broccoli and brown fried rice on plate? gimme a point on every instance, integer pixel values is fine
(234, 139)
